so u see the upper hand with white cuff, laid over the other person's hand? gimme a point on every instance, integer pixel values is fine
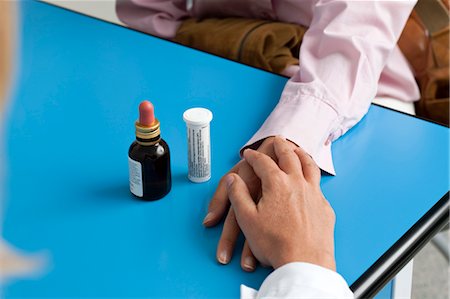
(292, 222)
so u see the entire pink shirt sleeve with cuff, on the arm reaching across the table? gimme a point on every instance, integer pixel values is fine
(342, 56)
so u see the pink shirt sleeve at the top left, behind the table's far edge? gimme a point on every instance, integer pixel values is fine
(156, 17)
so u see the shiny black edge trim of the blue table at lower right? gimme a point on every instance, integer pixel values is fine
(396, 257)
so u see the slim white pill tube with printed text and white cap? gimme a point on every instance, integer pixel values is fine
(199, 143)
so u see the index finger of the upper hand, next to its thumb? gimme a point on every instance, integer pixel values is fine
(263, 166)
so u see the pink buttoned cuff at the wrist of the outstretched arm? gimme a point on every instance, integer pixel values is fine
(305, 117)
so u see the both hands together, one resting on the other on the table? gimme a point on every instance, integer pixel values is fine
(273, 195)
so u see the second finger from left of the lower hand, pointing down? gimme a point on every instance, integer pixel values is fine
(227, 242)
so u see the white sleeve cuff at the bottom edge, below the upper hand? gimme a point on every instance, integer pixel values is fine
(304, 280)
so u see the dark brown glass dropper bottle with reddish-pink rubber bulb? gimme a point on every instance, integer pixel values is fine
(149, 158)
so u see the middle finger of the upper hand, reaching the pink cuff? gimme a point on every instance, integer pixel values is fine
(287, 159)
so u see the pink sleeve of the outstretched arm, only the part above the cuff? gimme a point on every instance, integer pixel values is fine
(345, 50)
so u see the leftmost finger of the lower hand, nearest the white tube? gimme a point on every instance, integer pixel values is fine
(218, 205)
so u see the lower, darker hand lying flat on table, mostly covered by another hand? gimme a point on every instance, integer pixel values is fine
(220, 206)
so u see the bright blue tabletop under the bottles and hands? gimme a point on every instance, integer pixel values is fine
(66, 136)
